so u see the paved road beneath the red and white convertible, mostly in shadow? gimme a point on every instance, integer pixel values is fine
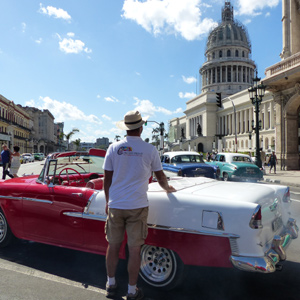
(32, 271)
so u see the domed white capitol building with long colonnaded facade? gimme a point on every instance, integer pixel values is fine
(228, 70)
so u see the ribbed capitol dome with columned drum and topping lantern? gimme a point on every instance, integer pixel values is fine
(228, 68)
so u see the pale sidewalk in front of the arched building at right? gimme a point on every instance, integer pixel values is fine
(289, 178)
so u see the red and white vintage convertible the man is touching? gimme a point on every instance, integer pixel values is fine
(205, 223)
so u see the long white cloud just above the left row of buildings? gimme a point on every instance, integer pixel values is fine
(63, 111)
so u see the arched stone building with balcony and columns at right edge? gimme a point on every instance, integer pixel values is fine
(283, 81)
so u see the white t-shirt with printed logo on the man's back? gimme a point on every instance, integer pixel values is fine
(132, 160)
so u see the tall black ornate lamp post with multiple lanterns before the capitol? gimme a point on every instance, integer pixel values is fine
(256, 94)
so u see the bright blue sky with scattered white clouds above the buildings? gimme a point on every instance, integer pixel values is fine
(90, 61)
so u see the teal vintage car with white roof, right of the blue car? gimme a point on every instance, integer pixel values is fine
(236, 166)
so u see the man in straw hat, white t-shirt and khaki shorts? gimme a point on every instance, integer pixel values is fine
(128, 165)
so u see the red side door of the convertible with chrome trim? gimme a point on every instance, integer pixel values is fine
(53, 214)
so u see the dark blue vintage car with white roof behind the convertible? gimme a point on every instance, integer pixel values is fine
(187, 164)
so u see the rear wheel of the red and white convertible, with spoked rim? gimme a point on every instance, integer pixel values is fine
(161, 267)
